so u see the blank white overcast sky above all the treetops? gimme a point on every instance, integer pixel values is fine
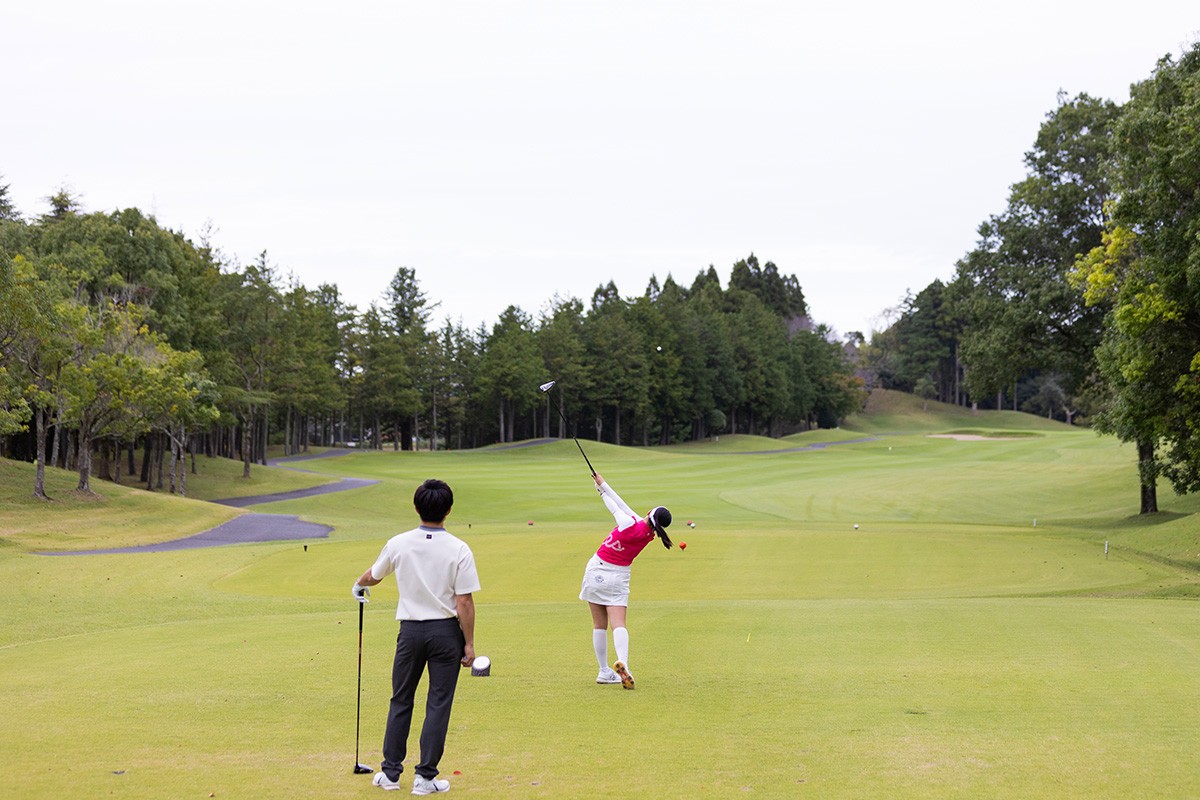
(512, 152)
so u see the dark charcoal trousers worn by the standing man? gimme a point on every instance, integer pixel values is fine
(436, 645)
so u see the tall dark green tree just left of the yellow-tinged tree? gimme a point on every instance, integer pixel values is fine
(1022, 315)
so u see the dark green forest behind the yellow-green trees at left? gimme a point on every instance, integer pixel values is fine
(292, 366)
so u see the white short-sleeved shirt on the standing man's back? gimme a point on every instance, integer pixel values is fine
(431, 567)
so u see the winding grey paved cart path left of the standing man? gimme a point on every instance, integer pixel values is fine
(254, 527)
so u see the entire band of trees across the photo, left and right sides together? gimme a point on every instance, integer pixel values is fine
(129, 342)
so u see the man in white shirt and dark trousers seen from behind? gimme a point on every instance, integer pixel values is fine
(436, 576)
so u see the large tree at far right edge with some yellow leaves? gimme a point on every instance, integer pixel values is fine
(1144, 275)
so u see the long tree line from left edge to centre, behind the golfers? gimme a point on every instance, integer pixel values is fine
(127, 350)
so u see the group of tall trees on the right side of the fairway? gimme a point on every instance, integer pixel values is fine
(1082, 299)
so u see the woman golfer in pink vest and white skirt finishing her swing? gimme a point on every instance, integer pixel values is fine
(607, 580)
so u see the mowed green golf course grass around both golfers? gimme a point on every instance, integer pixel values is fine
(947, 648)
